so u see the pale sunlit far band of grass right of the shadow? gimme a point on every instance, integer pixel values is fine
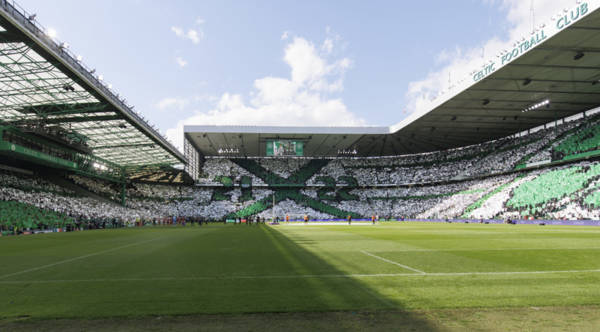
(454, 237)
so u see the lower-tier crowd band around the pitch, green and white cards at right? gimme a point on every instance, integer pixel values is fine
(491, 197)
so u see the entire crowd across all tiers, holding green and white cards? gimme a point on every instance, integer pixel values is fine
(469, 182)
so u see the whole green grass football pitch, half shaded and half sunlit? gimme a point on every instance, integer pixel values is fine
(257, 270)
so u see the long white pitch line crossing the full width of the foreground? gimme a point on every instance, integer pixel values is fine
(300, 276)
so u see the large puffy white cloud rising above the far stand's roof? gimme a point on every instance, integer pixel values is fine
(303, 99)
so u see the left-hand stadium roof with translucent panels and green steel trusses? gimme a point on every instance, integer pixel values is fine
(42, 82)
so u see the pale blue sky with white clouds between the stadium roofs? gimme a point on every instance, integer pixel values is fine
(293, 63)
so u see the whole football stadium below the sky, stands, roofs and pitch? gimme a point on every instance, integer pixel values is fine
(479, 212)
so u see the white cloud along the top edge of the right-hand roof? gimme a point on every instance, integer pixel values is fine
(456, 64)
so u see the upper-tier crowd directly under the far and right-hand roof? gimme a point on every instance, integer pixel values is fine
(478, 160)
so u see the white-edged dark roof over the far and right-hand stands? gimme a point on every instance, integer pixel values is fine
(550, 74)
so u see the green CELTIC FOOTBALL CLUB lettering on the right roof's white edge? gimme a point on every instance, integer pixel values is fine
(526, 44)
